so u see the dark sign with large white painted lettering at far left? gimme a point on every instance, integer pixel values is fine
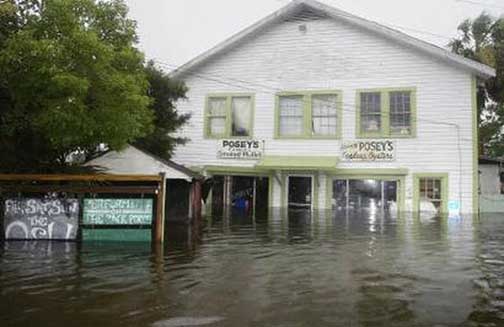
(50, 219)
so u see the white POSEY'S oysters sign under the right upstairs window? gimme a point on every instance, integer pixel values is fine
(368, 150)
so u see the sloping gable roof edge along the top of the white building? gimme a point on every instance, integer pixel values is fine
(297, 6)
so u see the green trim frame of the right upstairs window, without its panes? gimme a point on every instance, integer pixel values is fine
(385, 130)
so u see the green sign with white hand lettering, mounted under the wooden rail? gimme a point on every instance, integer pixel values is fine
(117, 211)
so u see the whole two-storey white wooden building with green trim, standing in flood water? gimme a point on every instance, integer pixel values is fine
(319, 108)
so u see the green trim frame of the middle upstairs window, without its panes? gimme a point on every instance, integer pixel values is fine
(307, 97)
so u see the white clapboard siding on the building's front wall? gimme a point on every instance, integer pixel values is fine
(335, 55)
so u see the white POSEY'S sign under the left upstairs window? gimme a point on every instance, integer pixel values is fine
(240, 149)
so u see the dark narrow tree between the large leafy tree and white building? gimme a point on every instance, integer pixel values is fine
(164, 93)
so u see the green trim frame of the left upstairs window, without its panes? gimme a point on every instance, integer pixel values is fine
(228, 125)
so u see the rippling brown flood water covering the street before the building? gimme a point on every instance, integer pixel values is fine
(329, 269)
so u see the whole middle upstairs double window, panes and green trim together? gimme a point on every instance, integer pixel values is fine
(308, 115)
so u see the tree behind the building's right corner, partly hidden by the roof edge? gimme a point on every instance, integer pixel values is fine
(482, 39)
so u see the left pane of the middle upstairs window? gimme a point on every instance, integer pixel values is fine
(291, 115)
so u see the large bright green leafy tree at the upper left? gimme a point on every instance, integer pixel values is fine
(70, 80)
